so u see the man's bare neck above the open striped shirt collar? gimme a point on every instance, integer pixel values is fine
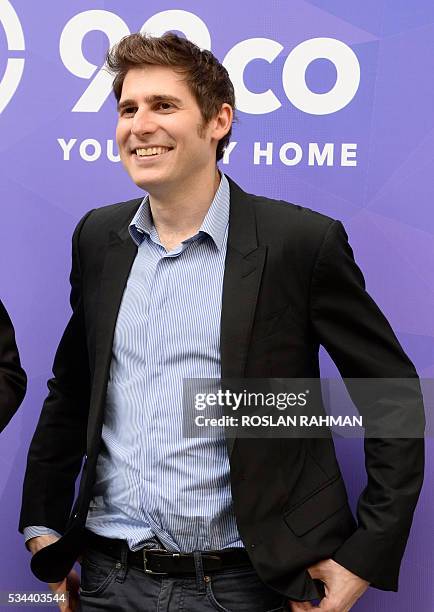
(180, 215)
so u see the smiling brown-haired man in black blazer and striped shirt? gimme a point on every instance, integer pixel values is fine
(202, 280)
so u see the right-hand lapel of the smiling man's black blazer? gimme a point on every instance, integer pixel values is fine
(243, 272)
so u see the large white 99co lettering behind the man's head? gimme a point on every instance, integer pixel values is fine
(236, 60)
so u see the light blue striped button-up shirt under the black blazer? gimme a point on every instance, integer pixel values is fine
(151, 481)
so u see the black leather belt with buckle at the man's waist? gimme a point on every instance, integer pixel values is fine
(163, 562)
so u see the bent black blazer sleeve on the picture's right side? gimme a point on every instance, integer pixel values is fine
(361, 342)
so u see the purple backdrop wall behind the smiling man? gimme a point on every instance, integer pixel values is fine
(51, 92)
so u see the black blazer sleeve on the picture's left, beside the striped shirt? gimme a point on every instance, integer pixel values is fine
(59, 442)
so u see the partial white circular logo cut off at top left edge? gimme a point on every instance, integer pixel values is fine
(15, 41)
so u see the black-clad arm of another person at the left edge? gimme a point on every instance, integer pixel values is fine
(13, 380)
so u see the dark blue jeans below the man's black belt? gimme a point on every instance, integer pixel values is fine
(108, 585)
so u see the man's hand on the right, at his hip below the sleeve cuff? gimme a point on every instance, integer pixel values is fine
(342, 588)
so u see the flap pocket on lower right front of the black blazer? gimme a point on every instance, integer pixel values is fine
(317, 508)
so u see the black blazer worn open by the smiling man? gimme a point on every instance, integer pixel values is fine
(290, 284)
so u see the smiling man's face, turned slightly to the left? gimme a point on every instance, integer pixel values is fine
(171, 120)
